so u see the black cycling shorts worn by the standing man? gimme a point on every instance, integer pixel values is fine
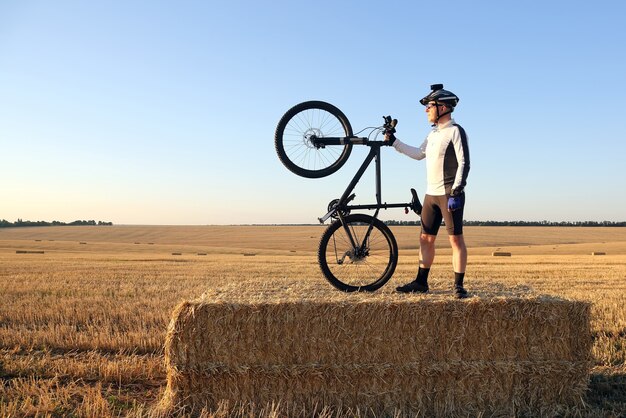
(435, 209)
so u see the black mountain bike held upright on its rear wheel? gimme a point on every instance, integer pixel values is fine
(357, 252)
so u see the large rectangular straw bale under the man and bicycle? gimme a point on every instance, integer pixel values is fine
(507, 356)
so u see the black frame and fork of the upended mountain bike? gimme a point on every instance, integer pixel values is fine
(374, 154)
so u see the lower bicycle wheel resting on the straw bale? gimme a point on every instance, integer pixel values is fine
(352, 273)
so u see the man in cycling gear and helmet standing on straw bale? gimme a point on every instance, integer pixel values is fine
(447, 165)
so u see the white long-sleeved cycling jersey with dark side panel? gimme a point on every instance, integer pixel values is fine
(447, 158)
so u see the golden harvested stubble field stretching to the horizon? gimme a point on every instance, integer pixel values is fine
(82, 325)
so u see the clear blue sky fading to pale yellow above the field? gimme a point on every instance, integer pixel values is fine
(154, 112)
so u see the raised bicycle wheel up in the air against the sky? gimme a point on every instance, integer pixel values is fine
(294, 147)
